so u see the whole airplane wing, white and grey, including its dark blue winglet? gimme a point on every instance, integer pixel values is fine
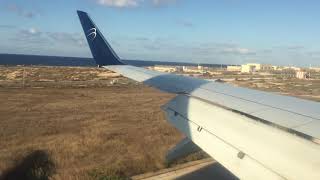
(254, 134)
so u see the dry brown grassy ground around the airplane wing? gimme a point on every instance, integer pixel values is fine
(88, 123)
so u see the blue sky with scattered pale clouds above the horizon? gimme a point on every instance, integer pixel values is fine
(285, 32)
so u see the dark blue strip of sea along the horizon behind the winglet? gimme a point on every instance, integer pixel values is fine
(29, 60)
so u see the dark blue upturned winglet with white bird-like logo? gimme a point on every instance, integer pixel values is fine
(101, 50)
